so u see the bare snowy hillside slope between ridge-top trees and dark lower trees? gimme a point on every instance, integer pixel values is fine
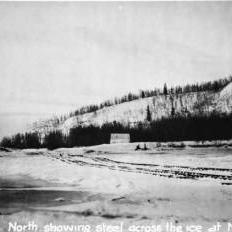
(160, 106)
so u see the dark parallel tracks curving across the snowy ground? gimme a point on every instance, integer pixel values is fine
(169, 171)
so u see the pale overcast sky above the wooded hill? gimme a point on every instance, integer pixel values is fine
(57, 56)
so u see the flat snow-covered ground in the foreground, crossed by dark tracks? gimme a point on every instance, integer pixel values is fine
(114, 183)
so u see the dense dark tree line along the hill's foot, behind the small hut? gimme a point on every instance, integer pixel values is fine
(178, 128)
